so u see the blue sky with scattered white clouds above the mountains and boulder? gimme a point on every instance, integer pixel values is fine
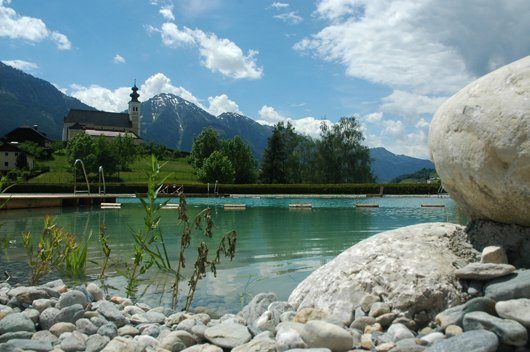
(390, 63)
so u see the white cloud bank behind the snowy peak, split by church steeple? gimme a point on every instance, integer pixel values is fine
(116, 100)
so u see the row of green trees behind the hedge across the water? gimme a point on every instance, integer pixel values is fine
(337, 156)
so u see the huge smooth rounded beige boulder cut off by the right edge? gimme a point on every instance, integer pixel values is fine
(479, 142)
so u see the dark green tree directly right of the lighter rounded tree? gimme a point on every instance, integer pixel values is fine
(240, 156)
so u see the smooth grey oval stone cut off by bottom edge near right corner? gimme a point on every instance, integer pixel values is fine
(469, 341)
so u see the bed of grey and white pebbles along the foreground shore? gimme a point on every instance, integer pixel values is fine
(52, 318)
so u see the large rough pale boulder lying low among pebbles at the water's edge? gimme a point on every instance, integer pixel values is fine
(411, 268)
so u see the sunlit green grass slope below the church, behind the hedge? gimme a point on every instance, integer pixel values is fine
(179, 170)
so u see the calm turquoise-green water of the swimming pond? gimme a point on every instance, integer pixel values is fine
(277, 246)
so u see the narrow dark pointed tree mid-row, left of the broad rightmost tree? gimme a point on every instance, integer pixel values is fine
(274, 161)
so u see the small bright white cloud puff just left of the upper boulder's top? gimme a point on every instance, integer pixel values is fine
(410, 105)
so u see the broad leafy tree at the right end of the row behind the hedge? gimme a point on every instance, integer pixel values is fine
(341, 158)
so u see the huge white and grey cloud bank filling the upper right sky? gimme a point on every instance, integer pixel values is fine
(423, 51)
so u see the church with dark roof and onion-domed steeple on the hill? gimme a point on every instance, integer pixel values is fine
(105, 124)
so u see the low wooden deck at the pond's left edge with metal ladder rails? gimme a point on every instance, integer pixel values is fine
(49, 200)
